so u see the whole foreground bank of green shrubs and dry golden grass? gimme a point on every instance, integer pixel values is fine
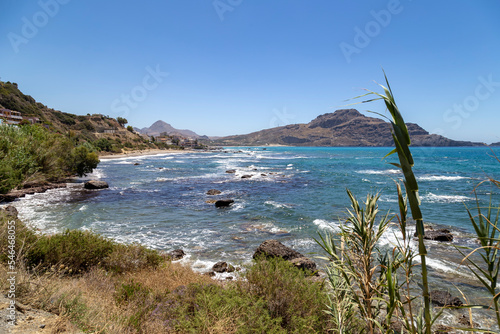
(102, 286)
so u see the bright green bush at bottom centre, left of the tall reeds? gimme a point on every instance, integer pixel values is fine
(276, 298)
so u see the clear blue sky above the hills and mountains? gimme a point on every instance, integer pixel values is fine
(237, 66)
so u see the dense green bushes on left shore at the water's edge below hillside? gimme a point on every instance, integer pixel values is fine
(31, 152)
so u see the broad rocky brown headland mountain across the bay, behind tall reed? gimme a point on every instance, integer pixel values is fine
(345, 127)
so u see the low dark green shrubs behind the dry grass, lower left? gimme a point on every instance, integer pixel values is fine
(74, 251)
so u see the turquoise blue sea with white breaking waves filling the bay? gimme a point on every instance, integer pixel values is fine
(293, 193)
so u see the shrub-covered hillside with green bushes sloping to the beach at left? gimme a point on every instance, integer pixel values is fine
(60, 145)
